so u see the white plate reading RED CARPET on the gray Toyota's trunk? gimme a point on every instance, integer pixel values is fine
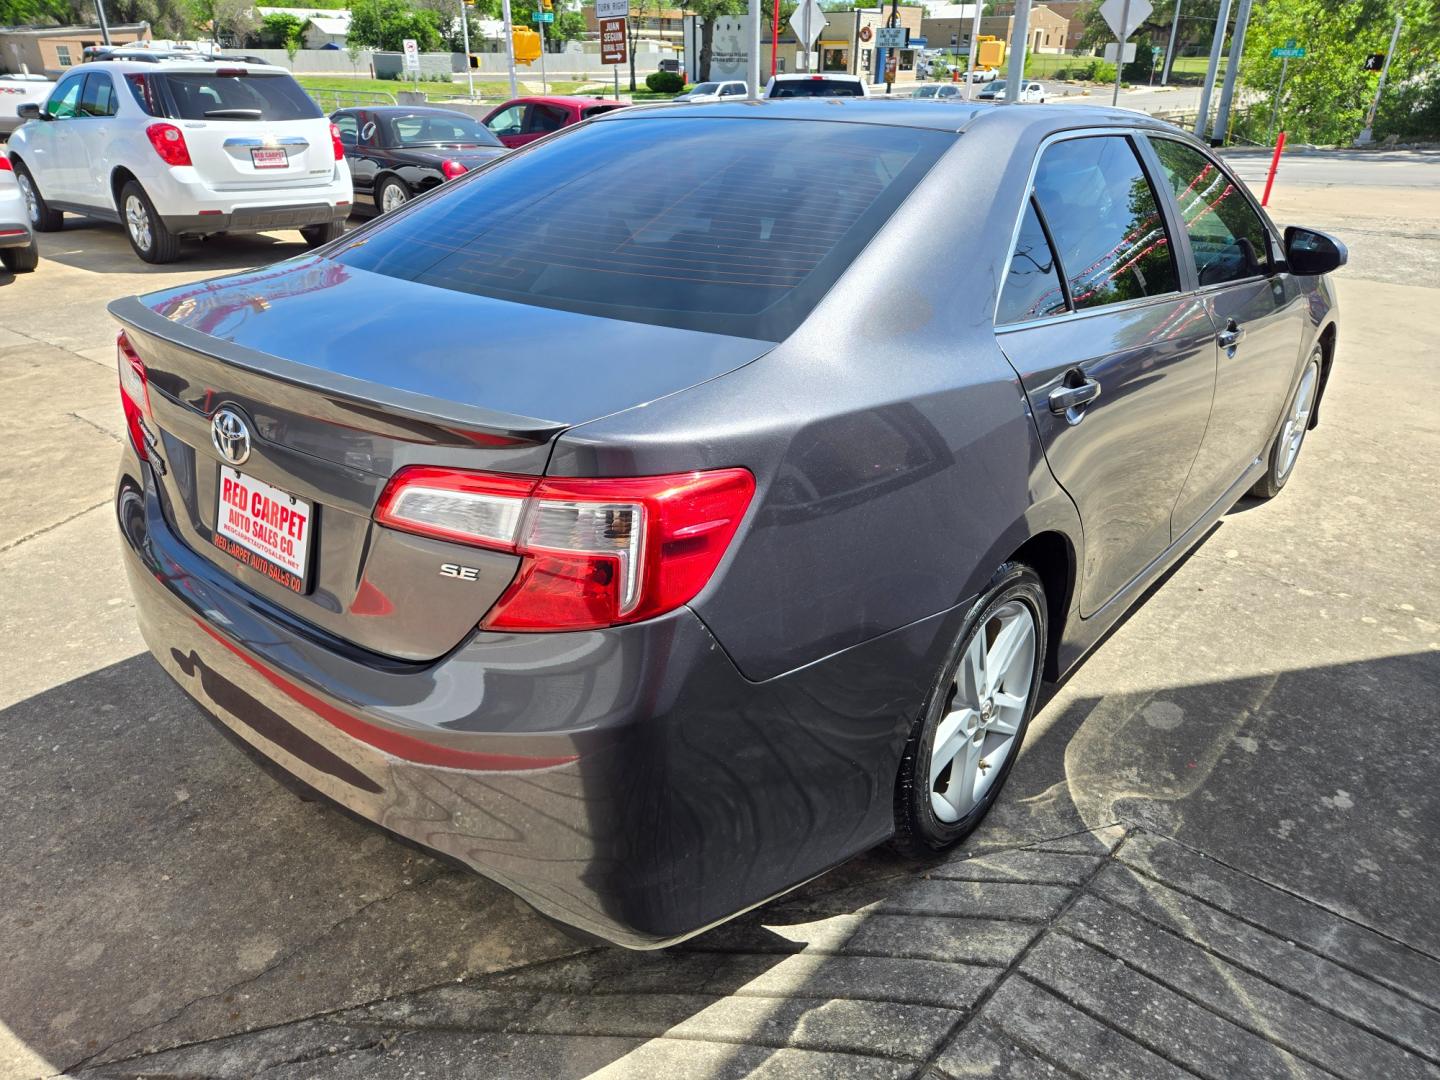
(264, 528)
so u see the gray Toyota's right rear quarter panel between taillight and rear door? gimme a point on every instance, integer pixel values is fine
(895, 457)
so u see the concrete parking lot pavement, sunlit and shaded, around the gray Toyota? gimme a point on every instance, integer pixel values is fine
(1218, 855)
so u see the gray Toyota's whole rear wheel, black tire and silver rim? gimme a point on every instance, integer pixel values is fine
(966, 742)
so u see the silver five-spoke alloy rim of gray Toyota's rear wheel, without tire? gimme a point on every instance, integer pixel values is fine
(987, 708)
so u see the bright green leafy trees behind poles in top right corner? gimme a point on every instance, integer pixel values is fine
(1328, 93)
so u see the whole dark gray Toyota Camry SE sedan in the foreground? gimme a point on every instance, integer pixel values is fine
(675, 509)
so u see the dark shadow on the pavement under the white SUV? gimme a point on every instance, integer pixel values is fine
(103, 248)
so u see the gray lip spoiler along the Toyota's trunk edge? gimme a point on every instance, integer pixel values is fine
(359, 398)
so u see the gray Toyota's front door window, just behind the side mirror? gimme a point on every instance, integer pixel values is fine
(1226, 235)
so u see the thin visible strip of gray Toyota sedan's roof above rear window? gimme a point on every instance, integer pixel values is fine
(947, 114)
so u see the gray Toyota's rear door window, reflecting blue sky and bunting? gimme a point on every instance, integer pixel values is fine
(1105, 222)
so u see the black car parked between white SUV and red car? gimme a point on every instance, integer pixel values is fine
(397, 153)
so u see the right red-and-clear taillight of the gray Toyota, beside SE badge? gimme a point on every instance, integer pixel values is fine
(594, 552)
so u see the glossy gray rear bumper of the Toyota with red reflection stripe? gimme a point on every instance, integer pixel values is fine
(629, 781)
